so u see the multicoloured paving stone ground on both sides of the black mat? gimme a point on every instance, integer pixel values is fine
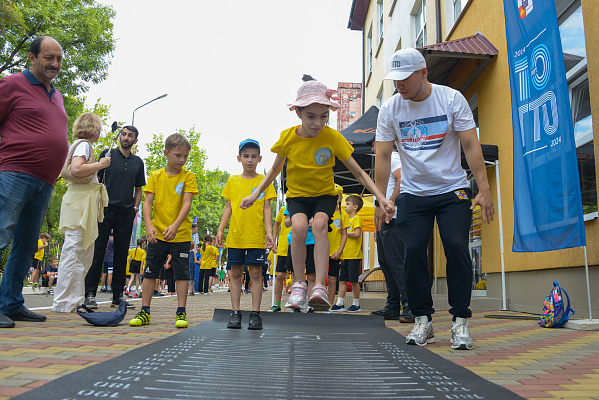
(533, 362)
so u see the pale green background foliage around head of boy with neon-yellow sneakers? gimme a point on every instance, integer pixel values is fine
(208, 206)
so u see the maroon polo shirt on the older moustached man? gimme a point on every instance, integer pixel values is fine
(33, 128)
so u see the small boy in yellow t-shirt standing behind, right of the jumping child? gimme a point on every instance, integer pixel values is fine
(351, 266)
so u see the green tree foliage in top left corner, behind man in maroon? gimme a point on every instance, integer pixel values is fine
(82, 27)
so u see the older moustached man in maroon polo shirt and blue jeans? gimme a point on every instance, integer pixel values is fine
(33, 148)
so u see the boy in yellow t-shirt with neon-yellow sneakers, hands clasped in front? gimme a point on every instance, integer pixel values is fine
(169, 193)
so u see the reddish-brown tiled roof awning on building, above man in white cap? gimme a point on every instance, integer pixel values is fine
(443, 58)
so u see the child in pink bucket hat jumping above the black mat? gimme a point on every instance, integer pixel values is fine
(310, 150)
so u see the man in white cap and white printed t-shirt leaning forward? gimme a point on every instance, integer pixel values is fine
(429, 122)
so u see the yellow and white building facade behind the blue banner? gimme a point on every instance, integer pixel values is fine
(444, 30)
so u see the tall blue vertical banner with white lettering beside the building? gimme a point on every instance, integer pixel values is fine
(547, 200)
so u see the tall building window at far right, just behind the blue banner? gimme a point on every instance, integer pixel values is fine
(575, 61)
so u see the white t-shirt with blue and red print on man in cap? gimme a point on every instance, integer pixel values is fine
(425, 133)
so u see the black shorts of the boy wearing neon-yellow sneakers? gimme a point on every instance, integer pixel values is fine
(156, 257)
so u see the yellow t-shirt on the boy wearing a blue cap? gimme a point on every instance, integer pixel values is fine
(246, 229)
